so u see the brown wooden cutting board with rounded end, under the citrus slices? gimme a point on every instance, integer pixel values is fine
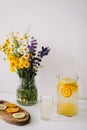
(8, 117)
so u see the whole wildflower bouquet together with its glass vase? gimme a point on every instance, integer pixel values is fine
(25, 59)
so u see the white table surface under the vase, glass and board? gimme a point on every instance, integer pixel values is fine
(58, 122)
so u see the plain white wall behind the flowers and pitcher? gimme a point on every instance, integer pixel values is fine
(59, 24)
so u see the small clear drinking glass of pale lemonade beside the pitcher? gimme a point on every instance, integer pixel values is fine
(46, 107)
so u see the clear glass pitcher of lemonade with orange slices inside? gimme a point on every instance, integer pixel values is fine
(67, 95)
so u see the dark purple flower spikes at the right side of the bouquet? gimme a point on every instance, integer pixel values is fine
(36, 59)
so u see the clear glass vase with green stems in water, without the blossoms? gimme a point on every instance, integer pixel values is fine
(27, 92)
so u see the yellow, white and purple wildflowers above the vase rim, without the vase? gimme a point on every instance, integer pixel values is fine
(22, 54)
